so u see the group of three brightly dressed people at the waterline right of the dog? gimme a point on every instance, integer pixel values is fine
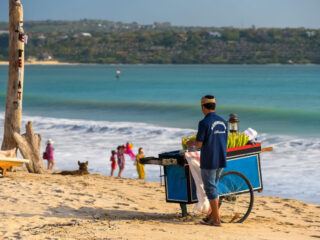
(117, 157)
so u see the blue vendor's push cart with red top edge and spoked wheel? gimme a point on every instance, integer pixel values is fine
(236, 186)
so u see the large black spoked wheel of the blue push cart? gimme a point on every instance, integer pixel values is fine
(236, 197)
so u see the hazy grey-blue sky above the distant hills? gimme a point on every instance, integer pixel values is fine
(237, 13)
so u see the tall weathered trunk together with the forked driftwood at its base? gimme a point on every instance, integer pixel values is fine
(28, 143)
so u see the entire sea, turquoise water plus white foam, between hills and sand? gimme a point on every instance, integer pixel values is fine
(88, 112)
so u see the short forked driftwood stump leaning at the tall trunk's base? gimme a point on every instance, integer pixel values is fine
(29, 146)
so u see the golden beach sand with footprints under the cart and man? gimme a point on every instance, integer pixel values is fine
(51, 206)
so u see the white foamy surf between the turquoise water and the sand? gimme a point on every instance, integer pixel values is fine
(290, 171)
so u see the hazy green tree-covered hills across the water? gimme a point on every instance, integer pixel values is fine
(163, 43)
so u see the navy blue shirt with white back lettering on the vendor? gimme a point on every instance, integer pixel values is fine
(213, 133)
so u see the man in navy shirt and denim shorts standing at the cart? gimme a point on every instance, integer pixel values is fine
(212, 139)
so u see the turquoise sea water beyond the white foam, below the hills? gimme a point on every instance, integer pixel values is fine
(277, 99)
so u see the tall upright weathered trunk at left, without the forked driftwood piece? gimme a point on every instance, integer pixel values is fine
(13, 112)
